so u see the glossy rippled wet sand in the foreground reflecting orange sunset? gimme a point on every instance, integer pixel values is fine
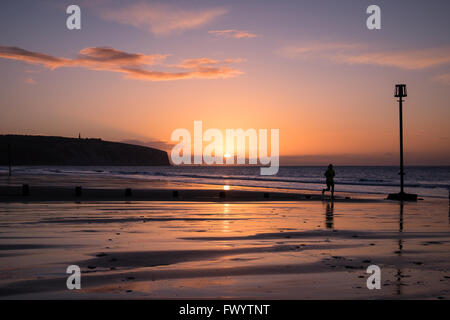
(250, 250)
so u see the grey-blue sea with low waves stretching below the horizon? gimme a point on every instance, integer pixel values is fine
(422, 180)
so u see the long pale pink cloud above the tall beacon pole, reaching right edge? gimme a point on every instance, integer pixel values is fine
(357, 54)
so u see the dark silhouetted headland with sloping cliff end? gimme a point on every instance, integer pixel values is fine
(46, 150)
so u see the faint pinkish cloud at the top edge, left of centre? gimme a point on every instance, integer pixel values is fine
(161, 19)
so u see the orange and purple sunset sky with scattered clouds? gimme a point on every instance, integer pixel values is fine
(138, 70)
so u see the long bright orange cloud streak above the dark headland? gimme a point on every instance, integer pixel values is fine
(132, 65)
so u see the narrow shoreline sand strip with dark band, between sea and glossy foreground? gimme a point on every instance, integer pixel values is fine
(61, 187)
